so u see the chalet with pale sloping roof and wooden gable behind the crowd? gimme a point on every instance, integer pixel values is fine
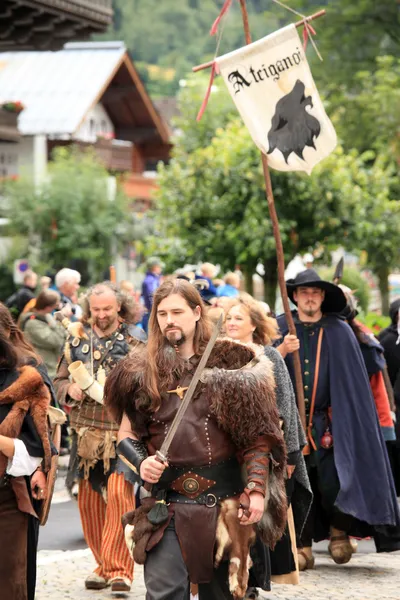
(88, 93)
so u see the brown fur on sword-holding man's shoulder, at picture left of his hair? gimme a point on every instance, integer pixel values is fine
(123, 384)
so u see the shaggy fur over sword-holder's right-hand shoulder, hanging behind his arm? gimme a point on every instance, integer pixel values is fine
(243, 401)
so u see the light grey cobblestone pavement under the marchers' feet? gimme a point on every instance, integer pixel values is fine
(366, 577)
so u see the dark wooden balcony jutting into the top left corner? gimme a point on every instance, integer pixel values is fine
(49, 24)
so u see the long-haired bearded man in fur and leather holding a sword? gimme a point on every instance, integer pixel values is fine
(202, 510)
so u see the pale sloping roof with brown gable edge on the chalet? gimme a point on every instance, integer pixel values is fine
(58, 89)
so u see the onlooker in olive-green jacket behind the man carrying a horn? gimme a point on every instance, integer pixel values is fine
(46, 335)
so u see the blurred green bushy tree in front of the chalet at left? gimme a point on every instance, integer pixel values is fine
(71, 217)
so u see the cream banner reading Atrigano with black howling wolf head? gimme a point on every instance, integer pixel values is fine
(271, 84)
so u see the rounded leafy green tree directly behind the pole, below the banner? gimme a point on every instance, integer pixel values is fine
(213, 200)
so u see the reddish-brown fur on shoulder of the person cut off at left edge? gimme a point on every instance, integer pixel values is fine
(27, 393)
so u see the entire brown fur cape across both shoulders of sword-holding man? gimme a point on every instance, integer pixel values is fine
(240, 389)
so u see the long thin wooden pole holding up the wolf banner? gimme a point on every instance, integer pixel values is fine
(279, 254)
